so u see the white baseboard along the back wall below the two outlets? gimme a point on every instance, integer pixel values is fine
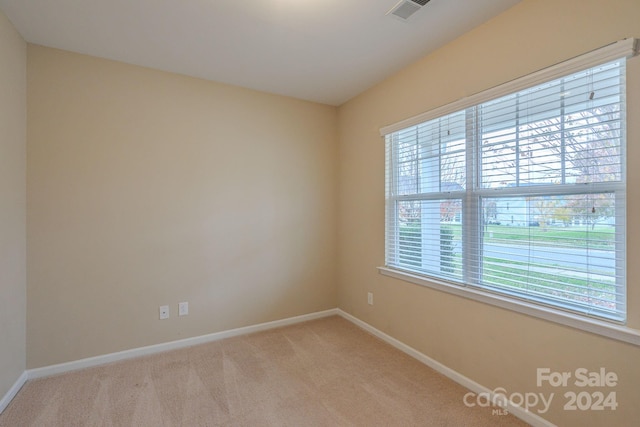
(172, 345)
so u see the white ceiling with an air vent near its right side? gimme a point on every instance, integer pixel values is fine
(326, 51)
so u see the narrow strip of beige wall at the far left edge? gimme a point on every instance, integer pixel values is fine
(13, 117)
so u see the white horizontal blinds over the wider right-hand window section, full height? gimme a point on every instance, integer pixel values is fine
(555, 152)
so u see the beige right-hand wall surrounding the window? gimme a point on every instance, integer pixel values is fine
(495, 347)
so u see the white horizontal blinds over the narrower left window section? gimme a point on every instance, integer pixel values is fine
(426, 197)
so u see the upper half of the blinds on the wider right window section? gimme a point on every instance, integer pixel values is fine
(566, 131)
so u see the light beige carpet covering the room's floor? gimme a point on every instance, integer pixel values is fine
(325, 372)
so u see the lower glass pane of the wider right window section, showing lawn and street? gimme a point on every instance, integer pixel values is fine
(559, 248)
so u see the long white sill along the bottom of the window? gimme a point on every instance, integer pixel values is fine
(599, 327)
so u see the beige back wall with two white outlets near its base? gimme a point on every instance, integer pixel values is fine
(147, 188)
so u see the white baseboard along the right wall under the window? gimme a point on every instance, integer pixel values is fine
(517, 411)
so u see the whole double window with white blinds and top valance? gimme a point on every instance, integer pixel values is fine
(519, 193)
